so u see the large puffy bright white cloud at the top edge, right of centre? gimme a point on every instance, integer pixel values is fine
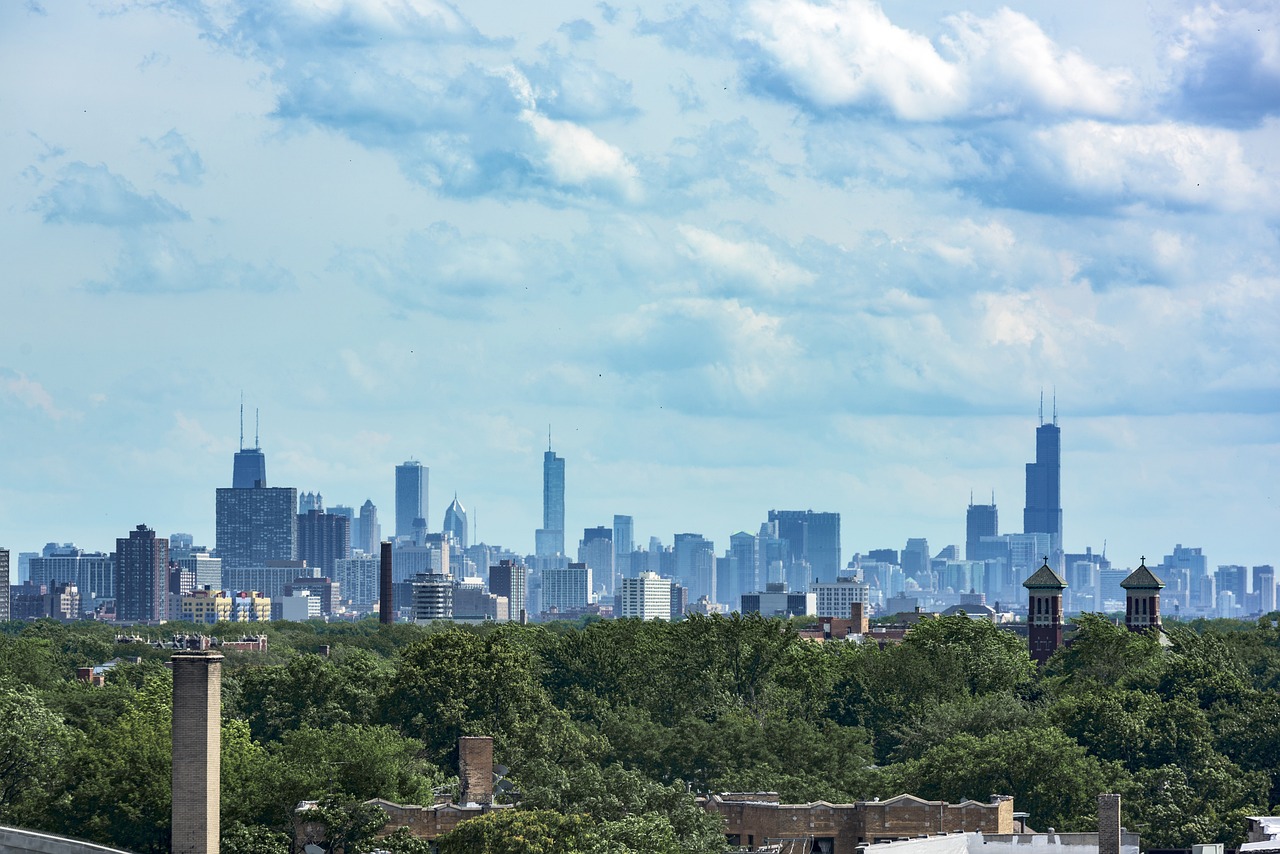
(849, 54)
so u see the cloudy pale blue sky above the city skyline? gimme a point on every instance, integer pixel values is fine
(738, 255)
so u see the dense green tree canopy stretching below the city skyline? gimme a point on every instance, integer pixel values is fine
(611, 729)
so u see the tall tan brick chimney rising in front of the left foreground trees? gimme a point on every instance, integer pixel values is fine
(198, 718)
